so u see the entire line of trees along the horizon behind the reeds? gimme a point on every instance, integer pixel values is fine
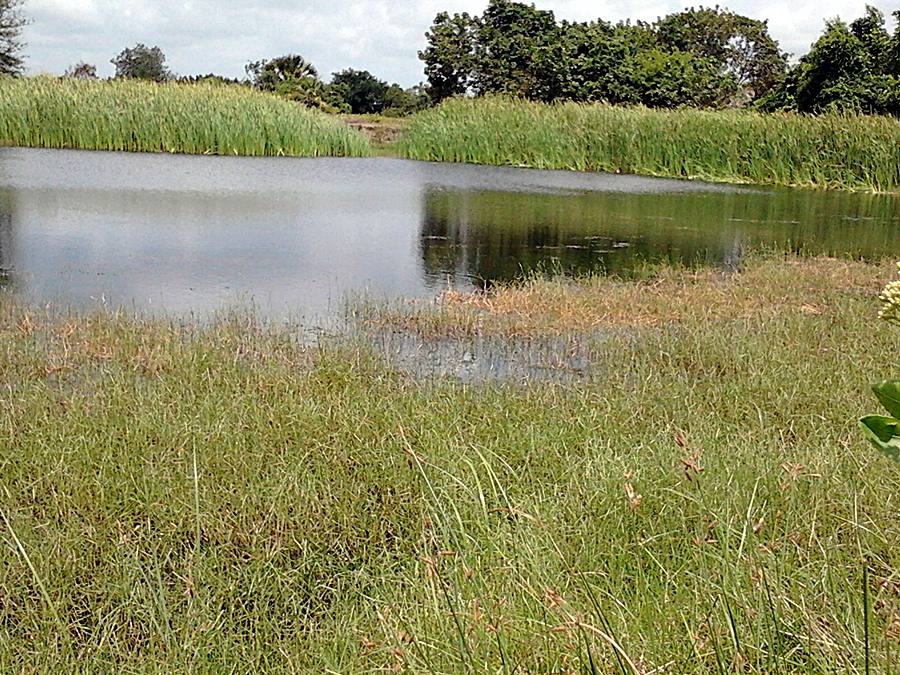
(699, 57)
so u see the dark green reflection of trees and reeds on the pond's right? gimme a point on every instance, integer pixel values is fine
(499, 236)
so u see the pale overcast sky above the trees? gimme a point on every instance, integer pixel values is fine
(383, 36)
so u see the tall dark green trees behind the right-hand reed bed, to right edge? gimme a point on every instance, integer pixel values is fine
(703, 57)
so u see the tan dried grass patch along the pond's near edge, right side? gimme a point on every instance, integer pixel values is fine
(538, 307)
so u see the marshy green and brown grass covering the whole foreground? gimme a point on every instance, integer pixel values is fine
(185, 499)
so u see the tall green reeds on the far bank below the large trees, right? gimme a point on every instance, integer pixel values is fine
(856, 153)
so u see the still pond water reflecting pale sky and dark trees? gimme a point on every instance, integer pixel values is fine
(181, 234)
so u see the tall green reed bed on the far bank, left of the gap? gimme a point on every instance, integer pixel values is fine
(148, 117)
